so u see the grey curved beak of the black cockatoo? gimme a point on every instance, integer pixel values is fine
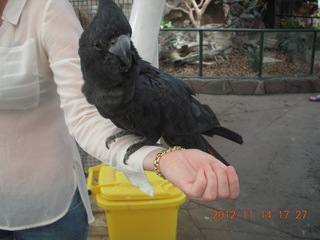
(122, 49)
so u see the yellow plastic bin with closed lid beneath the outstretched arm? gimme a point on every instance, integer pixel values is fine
(132, 214)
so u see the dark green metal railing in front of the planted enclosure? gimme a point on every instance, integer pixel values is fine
(261, 46)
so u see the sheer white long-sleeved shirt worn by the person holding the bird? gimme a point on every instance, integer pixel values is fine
(42, 109)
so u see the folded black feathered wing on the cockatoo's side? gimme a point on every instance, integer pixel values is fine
(163, 104)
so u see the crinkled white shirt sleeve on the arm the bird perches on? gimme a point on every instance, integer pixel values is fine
(59, 35)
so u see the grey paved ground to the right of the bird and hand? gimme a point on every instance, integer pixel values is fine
(279, 171)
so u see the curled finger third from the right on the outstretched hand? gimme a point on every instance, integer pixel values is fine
(210, 193)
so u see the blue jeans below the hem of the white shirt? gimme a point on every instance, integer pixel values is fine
(72, 226)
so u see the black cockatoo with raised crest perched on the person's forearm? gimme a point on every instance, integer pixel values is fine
(137, 97)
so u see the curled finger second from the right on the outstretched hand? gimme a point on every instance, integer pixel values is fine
(223, 183)
